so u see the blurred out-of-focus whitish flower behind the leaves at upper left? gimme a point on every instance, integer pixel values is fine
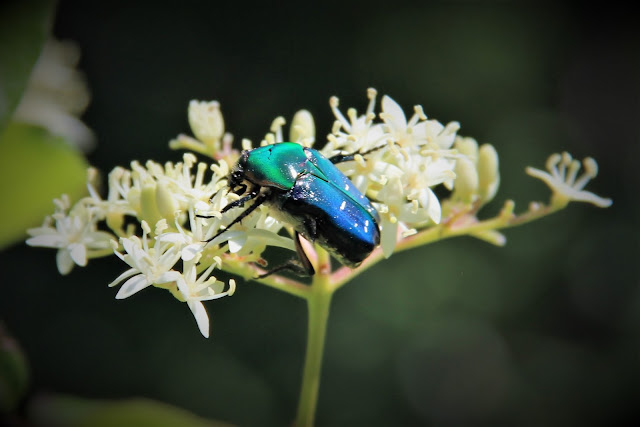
(57, 94)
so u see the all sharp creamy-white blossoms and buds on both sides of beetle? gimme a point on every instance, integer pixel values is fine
(164, 221)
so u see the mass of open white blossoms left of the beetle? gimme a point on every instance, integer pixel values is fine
(171, 256)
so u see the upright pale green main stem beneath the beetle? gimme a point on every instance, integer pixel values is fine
(318, 304)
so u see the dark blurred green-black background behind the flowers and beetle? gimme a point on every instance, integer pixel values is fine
(545, 331)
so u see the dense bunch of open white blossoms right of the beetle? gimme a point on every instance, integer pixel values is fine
(419, 154)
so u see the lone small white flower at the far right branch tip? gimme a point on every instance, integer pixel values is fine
(562, 179)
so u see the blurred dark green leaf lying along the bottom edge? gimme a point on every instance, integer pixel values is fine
(71, 411)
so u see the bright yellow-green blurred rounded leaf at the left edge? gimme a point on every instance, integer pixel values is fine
(35, 168)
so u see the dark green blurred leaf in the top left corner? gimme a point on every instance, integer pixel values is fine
(24, 27)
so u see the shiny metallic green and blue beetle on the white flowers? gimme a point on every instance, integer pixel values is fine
(306, 190)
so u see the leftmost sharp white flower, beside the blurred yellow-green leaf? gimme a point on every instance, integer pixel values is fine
(75, 235)
